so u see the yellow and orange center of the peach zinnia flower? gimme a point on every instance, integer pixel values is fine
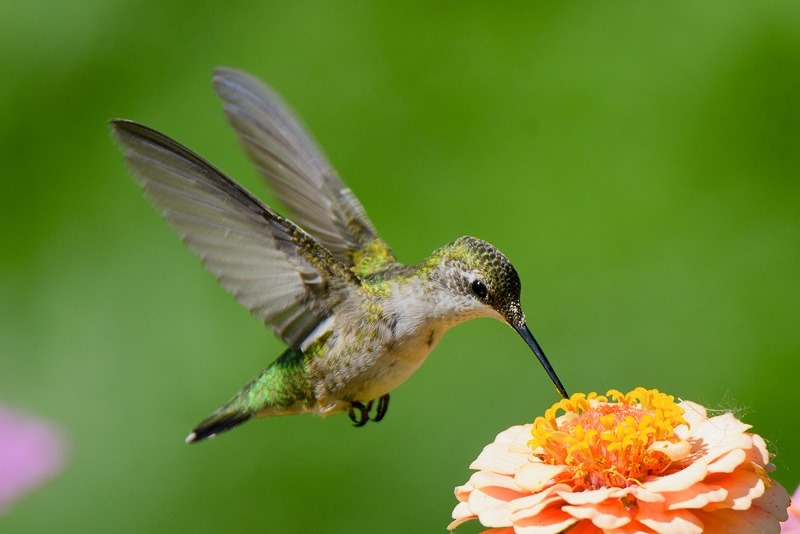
(609, 443)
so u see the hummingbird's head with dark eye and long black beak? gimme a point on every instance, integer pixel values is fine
(483, 283)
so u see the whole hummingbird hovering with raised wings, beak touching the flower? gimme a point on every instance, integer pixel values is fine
(357, 323)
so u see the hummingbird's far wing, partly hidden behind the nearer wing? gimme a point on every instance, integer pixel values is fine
(298, 172)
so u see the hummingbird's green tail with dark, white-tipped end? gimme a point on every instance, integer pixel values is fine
(282, 388)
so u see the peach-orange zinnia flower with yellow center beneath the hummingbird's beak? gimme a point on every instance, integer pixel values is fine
(637, 463)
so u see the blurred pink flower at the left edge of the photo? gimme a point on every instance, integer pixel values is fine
(30, 452)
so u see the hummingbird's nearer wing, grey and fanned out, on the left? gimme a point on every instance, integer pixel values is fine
(271, 266)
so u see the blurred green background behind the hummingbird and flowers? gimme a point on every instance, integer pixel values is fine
(637, 162)
